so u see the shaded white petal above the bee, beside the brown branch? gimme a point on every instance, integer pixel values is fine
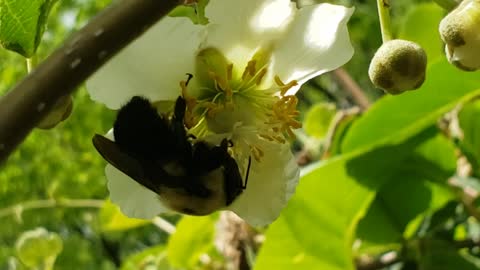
(152, 66)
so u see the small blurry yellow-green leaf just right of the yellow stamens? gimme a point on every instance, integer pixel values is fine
(318, 119)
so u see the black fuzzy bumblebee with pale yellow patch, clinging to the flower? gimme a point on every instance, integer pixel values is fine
(190, 176)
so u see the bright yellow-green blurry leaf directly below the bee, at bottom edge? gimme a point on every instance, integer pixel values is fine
(192, 238)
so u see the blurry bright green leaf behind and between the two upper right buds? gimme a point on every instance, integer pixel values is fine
(420, 25)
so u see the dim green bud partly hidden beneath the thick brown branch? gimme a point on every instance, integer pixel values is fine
(60, 111)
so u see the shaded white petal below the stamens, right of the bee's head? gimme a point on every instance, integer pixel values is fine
(271, 184)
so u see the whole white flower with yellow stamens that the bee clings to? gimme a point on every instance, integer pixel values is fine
(247, 64)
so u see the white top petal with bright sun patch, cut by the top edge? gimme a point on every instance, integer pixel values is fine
(236, 27)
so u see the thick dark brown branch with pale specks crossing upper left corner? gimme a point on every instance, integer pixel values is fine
(28, 102)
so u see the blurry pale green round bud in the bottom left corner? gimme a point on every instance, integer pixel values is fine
(38, 248)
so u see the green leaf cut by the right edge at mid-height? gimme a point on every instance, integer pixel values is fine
(468, 121)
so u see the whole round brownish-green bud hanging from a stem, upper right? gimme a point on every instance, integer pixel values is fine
(398, 66)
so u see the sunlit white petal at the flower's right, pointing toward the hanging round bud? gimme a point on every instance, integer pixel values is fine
(317, 42)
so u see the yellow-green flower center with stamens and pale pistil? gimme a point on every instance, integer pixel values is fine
(230, 97)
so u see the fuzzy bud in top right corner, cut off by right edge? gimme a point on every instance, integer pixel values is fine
(460, 30)
